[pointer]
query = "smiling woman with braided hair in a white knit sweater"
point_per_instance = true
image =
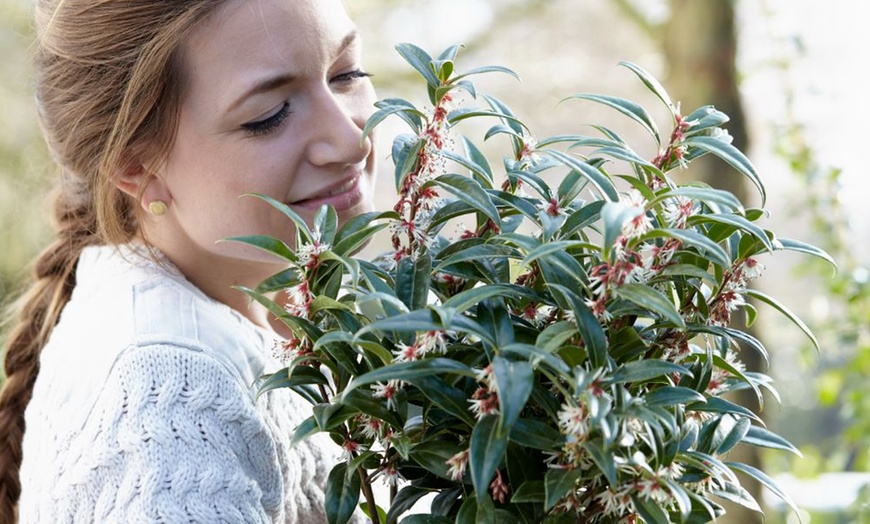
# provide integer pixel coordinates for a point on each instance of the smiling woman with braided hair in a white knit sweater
(161, 114)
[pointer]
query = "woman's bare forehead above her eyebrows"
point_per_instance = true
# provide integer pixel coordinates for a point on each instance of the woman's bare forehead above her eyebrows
(247, 39)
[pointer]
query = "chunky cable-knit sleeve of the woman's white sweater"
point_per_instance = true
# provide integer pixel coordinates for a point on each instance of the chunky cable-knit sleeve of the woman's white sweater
(173, 437)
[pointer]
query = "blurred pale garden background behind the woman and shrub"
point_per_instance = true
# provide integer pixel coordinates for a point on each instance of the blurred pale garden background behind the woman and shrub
(788, 72)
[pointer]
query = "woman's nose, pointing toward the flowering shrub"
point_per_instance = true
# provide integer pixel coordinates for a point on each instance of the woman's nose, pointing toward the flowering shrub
(337, 123)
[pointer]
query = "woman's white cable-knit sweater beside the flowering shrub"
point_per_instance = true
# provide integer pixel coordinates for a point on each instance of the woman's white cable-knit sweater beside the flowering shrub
(144, 410)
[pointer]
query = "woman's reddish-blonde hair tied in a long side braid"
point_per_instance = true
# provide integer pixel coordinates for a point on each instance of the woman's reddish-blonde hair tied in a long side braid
(108, 86)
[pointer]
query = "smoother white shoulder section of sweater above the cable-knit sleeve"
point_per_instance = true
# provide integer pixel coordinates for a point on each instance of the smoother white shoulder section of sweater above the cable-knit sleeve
(128, 310)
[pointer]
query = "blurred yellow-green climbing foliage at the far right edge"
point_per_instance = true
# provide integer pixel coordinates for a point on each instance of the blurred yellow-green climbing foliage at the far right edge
(844, 329)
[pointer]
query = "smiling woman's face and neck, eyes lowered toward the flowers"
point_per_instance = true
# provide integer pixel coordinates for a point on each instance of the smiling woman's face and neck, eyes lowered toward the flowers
(274, 103)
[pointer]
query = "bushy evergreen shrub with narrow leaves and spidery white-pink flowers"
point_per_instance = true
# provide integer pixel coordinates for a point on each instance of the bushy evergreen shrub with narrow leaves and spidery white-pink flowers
(566, 356)
